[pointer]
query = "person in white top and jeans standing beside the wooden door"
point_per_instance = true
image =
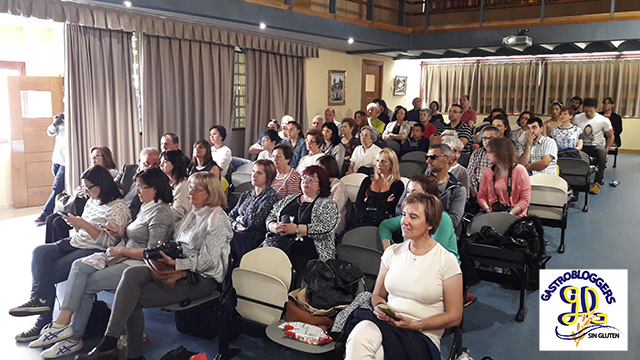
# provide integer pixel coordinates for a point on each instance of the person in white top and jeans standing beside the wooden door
(57, 130)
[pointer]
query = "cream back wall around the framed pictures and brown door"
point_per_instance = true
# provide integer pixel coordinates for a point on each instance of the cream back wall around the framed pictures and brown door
(317, 81)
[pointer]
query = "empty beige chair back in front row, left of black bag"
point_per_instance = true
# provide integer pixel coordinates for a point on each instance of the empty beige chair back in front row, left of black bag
(262, 284)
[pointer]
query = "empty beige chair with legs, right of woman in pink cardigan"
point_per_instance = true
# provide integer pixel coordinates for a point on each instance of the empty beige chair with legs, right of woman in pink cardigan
(549, 202)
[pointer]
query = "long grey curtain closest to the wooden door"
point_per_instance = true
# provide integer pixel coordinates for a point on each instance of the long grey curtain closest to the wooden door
(100, 98)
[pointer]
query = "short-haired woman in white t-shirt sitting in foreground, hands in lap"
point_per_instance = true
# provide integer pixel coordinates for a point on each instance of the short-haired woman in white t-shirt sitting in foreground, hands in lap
(420, 281)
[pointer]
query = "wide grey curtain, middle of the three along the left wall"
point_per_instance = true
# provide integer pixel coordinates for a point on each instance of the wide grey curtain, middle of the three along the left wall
(187, 86)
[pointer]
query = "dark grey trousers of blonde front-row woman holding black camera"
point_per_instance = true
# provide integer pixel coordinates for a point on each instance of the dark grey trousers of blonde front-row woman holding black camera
(136, 291)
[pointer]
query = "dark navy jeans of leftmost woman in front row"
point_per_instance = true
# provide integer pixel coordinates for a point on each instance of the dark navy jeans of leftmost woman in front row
(50, 265)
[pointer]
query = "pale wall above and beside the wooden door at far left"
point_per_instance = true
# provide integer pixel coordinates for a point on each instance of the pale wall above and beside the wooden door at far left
(42, 51)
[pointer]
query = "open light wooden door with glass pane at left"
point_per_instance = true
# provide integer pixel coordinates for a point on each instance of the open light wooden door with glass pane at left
(33, 101)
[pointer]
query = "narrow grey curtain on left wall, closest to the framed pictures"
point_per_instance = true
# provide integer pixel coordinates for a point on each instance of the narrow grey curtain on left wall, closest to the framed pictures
(275, 87)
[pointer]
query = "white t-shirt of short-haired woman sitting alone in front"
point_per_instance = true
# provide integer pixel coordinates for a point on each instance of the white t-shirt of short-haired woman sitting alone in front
(414, 282)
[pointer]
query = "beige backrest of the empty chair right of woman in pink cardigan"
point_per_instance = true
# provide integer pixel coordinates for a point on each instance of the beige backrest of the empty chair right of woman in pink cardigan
(547, 202)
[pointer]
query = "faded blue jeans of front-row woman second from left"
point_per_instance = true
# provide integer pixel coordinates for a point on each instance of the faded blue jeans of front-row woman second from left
(83, 284)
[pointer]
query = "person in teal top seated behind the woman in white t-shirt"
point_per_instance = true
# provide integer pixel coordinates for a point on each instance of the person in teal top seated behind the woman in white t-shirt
(445, 235)
